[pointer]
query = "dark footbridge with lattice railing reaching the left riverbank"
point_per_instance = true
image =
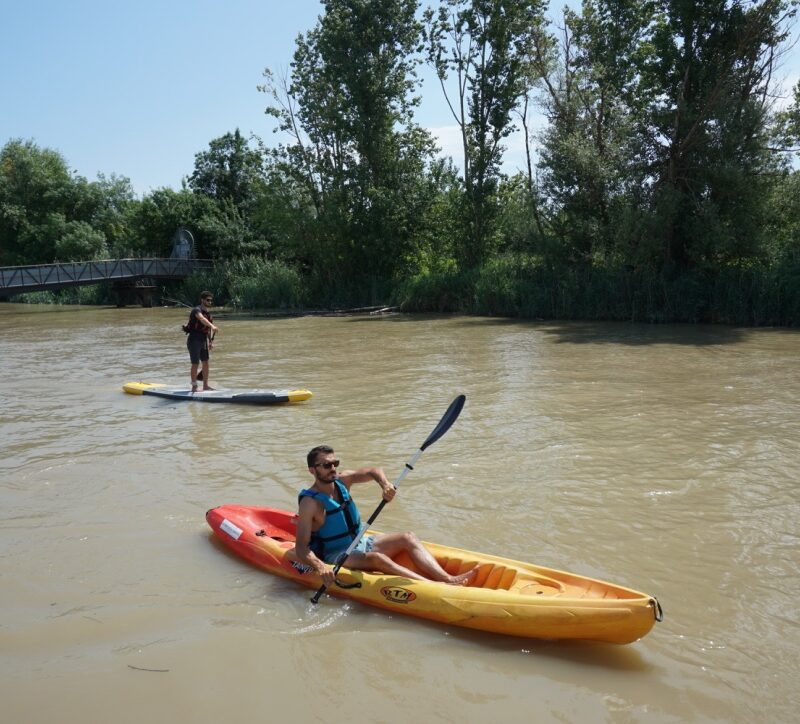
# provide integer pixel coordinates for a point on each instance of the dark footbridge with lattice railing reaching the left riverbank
(21, 279)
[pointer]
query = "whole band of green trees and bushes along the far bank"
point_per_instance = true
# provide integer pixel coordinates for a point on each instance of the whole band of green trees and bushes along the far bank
(660, 187)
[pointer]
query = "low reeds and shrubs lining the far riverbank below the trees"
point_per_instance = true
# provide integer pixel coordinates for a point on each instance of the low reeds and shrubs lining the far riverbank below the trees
(751, 296)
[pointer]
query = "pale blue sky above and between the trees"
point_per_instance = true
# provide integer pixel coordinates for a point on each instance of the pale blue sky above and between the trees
(137, 88)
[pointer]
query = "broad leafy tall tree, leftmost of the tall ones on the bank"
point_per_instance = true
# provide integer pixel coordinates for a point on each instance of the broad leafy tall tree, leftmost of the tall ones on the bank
(355, 153)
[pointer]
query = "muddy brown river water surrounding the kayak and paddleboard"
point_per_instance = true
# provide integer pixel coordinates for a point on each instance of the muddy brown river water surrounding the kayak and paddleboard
(663, 458)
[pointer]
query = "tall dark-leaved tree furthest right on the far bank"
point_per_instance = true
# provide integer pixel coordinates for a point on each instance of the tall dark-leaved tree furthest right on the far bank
(709, 77)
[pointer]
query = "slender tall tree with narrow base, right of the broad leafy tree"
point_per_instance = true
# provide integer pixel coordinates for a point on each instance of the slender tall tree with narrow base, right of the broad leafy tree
(483, 47)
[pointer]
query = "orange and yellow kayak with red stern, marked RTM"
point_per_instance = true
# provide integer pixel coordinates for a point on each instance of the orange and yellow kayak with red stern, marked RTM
(506, 597)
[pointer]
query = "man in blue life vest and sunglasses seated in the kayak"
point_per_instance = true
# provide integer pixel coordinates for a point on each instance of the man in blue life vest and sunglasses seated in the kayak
(329, 521)
